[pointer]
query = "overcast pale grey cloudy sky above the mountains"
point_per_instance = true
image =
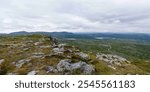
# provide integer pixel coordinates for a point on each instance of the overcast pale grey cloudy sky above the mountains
(75, 16)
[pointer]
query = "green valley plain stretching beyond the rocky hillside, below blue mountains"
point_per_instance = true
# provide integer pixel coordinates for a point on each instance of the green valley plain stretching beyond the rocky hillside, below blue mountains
(136, 51)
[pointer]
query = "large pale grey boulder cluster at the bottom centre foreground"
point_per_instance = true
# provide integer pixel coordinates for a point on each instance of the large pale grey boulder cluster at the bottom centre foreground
(67, 67)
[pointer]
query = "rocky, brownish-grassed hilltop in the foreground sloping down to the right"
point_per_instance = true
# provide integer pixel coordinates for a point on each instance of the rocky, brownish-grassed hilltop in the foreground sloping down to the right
(42, 55)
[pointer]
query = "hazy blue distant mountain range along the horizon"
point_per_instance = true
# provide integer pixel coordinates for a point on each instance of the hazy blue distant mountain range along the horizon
(128, 36)
